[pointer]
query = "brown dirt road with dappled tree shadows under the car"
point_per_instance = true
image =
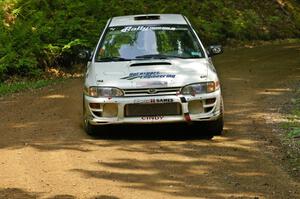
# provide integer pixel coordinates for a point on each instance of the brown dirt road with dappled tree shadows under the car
(44, 152)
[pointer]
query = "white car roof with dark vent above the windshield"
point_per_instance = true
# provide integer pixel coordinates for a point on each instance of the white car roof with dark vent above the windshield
(149, 19)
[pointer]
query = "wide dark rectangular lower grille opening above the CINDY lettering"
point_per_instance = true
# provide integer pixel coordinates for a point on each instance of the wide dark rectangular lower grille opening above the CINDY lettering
(139, 110)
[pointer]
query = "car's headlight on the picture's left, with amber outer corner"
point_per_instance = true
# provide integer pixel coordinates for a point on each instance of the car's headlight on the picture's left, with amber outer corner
(95, 91)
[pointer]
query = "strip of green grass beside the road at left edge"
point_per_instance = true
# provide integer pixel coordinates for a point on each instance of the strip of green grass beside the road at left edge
(22, 85)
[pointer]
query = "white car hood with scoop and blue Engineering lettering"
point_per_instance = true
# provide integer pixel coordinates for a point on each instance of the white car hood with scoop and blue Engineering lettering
(151, 73)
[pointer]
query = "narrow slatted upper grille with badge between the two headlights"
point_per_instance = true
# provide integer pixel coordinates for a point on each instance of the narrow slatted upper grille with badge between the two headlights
(151, 91)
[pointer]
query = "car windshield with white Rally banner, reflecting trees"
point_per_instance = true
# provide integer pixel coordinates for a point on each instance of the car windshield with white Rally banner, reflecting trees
(124, 43)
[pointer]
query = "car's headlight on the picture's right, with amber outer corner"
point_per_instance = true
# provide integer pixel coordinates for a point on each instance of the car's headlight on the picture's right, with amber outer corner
(200, 88)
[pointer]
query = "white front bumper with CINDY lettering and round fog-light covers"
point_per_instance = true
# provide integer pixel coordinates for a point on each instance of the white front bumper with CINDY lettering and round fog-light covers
(204, 107)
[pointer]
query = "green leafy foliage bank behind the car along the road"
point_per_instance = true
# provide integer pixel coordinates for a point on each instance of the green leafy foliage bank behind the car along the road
(36, 34)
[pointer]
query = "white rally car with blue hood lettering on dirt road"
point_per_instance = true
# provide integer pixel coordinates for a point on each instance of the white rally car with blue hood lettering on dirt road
(151, 69)
